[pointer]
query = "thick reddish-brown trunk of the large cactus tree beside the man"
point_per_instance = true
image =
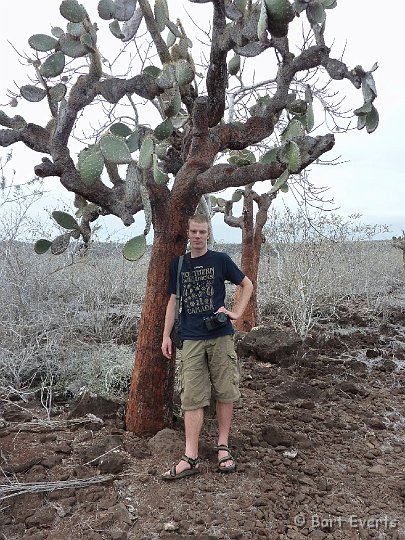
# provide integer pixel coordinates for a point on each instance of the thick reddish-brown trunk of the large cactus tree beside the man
(150, 400)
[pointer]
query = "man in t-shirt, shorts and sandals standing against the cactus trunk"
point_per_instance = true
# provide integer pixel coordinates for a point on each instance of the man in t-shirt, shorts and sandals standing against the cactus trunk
(209, 362)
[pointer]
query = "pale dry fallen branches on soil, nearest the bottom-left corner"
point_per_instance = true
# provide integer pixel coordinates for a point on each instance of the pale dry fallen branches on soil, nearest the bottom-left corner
(12, 490)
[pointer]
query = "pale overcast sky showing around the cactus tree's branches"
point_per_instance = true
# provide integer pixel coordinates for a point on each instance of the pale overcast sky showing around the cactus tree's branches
(370, 182)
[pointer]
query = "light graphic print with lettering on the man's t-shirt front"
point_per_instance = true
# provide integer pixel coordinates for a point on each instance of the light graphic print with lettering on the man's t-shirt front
(198, 290)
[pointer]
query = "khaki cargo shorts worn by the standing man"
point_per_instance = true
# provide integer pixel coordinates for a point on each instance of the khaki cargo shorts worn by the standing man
(209, 365)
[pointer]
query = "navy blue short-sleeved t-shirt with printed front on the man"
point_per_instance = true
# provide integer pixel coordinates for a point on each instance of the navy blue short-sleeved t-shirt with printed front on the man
(202, 285)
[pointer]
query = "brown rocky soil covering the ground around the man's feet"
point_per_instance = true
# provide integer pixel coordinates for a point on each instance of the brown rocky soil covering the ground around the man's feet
(319, 441)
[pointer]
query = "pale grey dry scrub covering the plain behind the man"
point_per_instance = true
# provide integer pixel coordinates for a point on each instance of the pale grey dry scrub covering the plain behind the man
(70, 322)
